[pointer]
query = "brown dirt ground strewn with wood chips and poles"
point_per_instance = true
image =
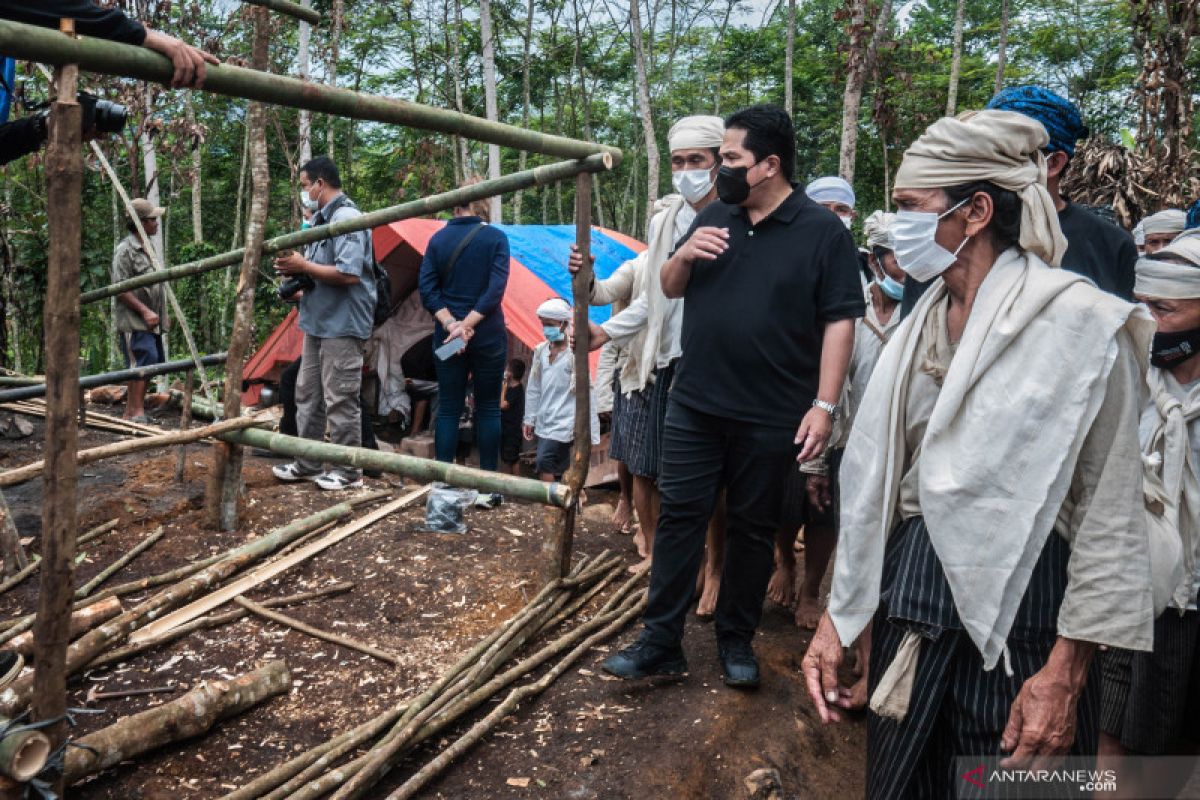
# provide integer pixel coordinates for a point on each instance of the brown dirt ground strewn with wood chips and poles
(427, 598)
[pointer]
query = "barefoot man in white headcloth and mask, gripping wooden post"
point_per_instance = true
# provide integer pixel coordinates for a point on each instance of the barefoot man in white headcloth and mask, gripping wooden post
(649, 329)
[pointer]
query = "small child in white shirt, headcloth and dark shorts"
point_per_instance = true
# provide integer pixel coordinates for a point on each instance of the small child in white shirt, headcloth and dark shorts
(550, 395)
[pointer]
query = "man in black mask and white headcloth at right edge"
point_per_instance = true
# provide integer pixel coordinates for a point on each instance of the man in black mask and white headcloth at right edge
(1150, 699)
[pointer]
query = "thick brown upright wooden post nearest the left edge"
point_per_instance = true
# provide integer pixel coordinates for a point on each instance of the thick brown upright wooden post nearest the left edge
(64, 181)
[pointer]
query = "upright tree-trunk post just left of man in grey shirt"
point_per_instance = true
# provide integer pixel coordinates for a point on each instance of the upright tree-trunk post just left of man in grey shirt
(225, 483)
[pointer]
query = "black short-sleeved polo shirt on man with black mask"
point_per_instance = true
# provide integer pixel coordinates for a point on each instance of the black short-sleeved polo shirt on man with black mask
(754, 320)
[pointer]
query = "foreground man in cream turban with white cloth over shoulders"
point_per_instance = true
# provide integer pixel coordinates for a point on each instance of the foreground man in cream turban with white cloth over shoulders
(993, 531)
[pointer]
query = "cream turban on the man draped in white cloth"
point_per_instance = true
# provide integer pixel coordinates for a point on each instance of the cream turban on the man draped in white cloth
(1004, 148)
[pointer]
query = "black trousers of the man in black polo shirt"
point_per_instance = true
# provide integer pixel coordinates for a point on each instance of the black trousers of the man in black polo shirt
(703, 455)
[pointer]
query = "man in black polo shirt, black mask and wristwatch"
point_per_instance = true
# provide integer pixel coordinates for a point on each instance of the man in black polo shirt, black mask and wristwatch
(771, 291)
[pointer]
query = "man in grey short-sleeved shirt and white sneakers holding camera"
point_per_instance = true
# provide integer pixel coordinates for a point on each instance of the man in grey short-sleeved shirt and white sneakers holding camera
(337, 315)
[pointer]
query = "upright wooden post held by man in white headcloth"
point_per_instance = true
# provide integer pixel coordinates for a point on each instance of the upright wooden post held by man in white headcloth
(559, 563)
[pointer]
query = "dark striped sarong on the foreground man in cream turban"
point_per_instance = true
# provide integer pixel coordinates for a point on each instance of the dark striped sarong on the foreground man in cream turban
(958, 708)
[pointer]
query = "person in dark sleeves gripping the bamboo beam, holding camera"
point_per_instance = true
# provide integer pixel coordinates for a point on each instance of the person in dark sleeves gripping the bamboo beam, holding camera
(22, 137)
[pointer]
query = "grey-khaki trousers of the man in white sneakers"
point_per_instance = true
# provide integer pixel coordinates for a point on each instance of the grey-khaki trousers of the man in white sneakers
(328, 392)
